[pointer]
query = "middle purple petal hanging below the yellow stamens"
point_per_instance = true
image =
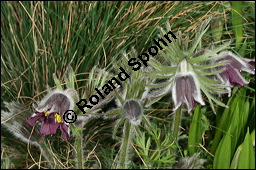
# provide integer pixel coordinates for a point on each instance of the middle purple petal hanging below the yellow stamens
(48, 127)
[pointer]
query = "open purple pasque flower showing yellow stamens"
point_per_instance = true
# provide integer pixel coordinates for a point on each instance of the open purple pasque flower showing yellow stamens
(50, 111)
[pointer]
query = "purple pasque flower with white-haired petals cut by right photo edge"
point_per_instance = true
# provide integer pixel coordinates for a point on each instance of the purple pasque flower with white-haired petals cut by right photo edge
(231, 72)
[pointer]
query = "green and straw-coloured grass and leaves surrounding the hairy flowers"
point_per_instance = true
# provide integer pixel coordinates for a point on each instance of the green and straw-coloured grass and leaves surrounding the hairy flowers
(42, 38)
